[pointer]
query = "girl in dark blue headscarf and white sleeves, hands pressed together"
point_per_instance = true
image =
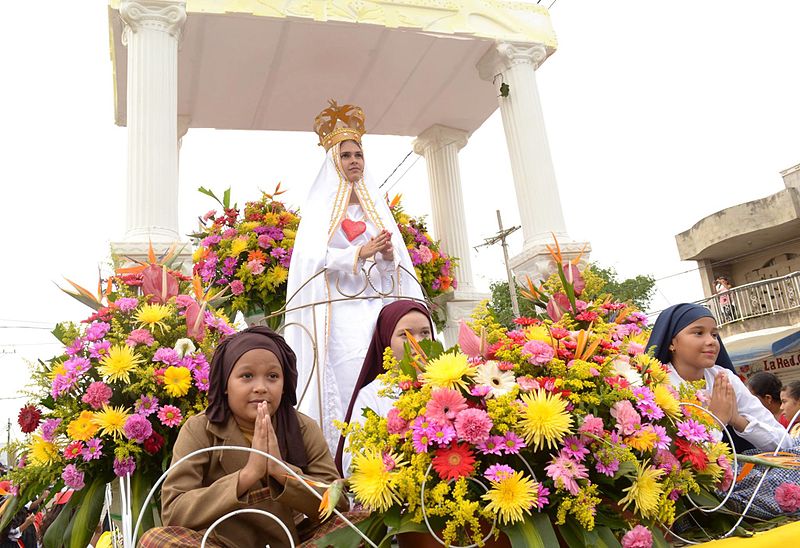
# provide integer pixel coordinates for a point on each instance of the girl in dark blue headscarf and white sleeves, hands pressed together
(685, 338)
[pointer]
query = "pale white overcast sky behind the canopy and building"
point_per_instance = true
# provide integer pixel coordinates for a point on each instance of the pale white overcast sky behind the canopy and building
(658, 114)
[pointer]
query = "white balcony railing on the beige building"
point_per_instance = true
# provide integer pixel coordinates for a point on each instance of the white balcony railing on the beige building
(755, 299)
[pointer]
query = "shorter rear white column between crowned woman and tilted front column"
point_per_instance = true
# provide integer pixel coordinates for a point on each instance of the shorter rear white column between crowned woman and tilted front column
(440, 145)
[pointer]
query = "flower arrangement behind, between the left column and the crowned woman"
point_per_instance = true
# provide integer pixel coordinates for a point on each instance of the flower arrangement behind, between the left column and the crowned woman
(247, 253)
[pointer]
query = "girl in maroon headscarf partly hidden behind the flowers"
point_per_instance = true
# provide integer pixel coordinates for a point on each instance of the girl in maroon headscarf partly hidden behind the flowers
(394, 321)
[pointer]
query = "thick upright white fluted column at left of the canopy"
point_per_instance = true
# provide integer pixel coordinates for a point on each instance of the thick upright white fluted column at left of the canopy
(152, 31)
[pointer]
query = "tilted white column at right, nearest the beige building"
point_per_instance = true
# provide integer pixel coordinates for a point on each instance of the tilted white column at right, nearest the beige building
(531, 164)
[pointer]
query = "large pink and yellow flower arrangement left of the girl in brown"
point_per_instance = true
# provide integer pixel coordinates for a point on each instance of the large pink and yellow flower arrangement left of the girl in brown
(111, 405)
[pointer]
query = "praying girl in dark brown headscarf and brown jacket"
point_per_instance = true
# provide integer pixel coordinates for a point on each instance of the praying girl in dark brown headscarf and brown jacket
(251, 404)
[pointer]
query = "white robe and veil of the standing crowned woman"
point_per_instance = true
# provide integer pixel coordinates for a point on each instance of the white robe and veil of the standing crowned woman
(333, 297)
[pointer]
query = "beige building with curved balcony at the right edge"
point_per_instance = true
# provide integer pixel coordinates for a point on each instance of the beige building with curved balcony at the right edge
(756, 246)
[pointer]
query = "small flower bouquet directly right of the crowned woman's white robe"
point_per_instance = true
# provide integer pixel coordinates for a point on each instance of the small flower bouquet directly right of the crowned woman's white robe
(435, 269)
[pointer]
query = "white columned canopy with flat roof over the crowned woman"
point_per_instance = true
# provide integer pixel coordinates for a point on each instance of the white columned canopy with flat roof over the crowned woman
(432, 69)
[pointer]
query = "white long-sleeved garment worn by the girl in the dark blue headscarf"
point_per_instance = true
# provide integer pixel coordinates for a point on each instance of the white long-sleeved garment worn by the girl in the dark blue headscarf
(762, 430)
